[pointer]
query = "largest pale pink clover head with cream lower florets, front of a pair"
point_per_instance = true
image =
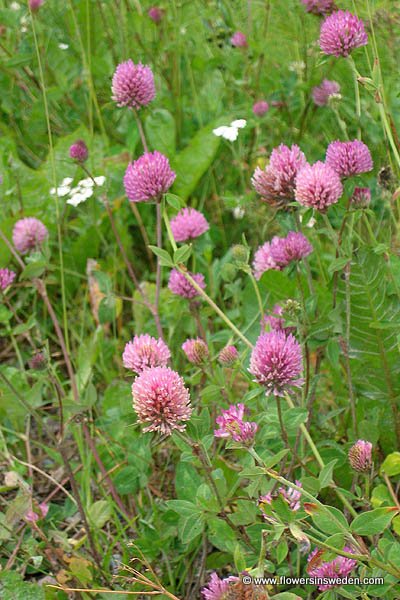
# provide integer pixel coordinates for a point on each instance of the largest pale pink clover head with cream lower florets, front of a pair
(161, 400)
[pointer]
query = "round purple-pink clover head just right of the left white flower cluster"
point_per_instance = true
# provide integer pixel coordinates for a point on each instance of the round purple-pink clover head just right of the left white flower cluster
(148, 177)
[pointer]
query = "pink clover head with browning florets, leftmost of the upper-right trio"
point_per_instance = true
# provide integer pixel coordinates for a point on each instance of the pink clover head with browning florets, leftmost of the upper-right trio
(276, 182)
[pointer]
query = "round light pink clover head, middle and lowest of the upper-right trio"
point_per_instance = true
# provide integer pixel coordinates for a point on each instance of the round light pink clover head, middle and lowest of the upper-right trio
(318, 186)
